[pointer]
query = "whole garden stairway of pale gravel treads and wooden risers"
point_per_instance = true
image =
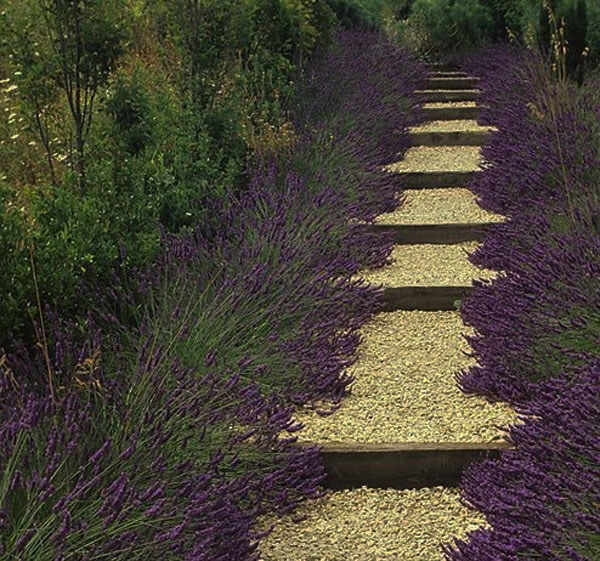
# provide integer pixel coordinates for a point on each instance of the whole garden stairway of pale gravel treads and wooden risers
(395, 450)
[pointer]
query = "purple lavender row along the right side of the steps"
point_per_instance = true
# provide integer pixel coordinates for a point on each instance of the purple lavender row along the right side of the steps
(537, 323)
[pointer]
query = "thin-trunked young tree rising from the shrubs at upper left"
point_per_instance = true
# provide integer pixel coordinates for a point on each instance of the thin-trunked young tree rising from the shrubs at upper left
(70, 44)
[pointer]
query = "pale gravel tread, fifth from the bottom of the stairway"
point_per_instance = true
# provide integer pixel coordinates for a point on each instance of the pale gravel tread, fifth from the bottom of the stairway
(439, 158)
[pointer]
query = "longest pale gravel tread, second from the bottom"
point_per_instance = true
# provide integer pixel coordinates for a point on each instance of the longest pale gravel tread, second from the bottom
(404, 388)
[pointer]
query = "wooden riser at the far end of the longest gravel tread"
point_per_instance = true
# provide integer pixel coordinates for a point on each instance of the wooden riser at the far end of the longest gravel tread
(424, 298)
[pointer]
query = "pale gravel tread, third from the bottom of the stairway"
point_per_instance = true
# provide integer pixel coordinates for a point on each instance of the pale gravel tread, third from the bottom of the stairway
(428, 265)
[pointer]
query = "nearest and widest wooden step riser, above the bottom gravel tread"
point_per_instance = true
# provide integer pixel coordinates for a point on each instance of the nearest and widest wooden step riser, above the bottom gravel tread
(401, 465)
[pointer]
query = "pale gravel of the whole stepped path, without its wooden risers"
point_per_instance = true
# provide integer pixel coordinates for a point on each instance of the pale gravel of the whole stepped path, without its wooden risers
(404, 390)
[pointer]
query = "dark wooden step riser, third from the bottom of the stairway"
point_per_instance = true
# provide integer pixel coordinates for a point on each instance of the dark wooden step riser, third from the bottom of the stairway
(411, 234)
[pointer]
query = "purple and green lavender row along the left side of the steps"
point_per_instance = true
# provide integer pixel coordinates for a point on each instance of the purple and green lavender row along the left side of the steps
(162, 425)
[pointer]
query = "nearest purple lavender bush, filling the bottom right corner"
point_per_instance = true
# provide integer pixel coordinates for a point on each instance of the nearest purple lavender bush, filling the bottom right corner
(542, 499)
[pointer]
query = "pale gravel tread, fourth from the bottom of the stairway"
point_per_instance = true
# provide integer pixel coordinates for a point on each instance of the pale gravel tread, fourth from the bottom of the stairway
(438, 206)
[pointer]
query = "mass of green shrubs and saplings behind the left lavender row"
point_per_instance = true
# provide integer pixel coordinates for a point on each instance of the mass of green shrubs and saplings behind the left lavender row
(153, 116)
